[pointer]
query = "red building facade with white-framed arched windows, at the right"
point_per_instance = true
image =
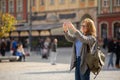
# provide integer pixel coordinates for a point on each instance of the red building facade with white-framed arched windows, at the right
(108, 19)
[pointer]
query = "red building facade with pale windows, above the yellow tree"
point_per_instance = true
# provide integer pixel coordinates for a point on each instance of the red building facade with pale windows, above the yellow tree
(17, 8)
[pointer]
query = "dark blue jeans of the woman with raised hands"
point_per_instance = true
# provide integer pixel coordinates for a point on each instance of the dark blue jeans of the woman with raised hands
(78, 75)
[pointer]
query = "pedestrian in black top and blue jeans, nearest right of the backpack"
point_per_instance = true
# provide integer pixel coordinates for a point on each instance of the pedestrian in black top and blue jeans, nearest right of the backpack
(111, 51)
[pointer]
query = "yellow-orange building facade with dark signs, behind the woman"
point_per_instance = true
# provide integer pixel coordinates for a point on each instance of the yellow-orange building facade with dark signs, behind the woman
(58, 11)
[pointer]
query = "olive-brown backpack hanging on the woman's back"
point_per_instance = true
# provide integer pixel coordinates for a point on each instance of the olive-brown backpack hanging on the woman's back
(95, 59)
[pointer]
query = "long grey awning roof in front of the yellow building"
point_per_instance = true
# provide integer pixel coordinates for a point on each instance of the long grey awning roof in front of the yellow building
(39, 27)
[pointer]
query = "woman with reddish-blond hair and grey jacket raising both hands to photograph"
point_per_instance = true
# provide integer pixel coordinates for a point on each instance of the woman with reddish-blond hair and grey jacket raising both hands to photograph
(81, 39)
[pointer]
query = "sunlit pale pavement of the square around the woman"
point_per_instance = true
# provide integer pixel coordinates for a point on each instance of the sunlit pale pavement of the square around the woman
(37, 69)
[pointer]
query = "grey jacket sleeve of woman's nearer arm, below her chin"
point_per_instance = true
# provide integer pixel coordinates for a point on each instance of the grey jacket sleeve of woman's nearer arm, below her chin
(85, 39)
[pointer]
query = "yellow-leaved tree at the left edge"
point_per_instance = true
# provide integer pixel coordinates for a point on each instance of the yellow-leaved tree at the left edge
(7, 23)
